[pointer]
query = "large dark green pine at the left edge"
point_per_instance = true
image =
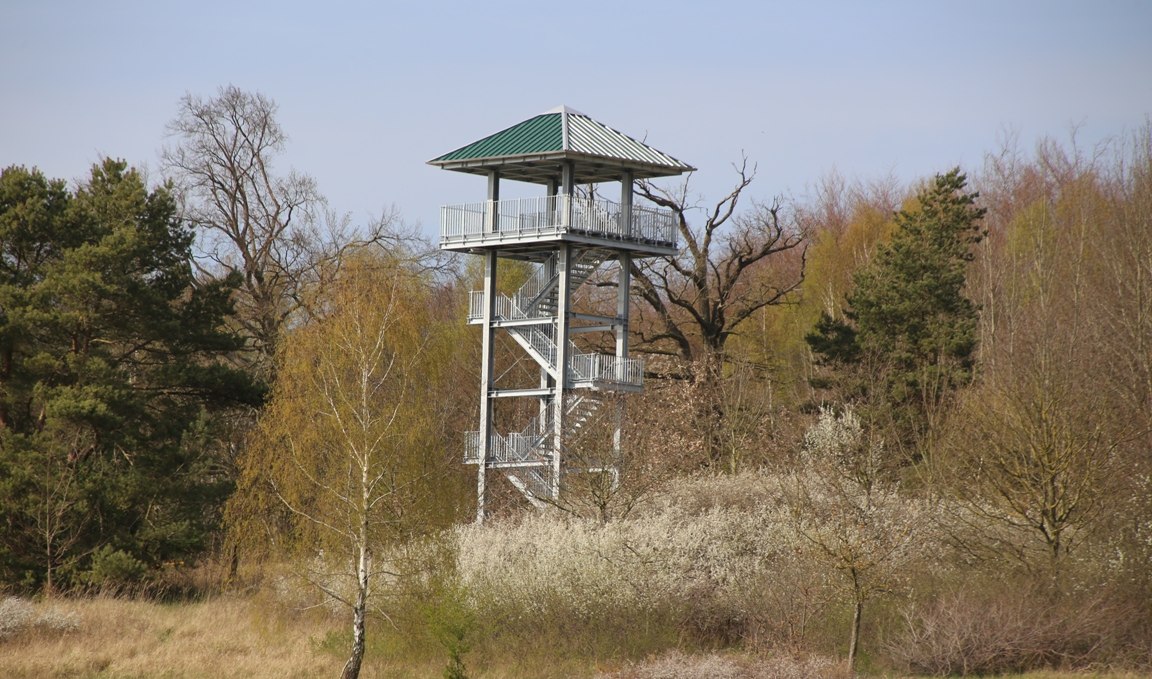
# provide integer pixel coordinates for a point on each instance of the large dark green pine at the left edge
(109, 363)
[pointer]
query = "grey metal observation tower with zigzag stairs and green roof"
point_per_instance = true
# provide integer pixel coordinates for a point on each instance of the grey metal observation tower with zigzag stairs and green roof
(564, 238)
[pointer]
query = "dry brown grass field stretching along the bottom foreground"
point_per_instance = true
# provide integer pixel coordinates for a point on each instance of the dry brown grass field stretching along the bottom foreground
(248, 637)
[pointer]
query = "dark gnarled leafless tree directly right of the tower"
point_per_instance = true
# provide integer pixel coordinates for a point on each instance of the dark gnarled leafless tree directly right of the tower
(730, 268)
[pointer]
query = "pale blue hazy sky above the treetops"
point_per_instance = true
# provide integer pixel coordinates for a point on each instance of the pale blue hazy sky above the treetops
(368, 93)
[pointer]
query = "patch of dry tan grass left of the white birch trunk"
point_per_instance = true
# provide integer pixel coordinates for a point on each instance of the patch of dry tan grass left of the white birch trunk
(128, 639)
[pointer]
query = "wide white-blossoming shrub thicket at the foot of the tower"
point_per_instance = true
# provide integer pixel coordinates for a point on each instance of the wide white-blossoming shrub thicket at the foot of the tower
(719, 559)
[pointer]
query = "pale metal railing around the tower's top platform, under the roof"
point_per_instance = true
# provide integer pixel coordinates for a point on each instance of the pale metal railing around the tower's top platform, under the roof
(552, 216)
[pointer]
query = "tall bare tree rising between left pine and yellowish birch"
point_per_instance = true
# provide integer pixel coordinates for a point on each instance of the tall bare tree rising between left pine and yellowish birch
(272, 230)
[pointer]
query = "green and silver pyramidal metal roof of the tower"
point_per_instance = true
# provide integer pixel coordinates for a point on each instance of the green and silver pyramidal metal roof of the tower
(534, 150)
